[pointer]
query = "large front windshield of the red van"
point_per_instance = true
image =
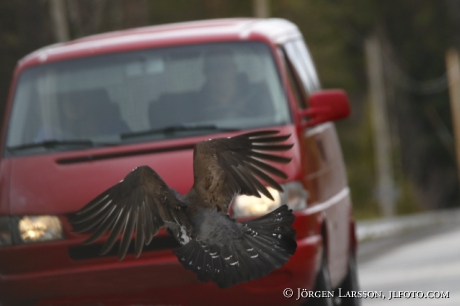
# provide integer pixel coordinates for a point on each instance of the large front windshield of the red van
(147, 95)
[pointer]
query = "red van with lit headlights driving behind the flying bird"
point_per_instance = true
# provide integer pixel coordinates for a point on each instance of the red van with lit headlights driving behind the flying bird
(82, 114)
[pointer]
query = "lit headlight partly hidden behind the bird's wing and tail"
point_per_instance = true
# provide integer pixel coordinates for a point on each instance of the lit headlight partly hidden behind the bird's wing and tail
(294, 195)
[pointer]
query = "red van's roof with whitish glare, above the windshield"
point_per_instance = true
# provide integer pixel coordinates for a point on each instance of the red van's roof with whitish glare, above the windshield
(274, 30)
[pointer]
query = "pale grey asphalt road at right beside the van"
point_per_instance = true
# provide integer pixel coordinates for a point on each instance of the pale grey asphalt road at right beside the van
(421, 263)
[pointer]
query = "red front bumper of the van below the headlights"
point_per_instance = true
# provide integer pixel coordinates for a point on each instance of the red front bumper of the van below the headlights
(46, 274)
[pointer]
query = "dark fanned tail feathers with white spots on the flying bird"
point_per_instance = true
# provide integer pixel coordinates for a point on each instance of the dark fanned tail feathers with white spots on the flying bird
(265, 245)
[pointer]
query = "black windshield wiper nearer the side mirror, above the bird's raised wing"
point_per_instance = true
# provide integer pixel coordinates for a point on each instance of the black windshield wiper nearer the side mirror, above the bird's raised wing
(178, 128)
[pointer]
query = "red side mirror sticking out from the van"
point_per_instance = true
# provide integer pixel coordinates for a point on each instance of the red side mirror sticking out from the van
(326, 105)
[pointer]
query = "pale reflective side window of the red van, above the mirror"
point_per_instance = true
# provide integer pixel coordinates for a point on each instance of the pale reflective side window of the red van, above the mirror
(302, 63)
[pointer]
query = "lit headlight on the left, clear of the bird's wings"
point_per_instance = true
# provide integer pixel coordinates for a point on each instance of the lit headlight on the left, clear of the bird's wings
(39, 228)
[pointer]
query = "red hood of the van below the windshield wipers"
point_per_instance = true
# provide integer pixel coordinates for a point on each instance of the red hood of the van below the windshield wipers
(62, 183)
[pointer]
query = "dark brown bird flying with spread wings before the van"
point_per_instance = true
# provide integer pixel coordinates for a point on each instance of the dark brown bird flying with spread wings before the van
(213, 245)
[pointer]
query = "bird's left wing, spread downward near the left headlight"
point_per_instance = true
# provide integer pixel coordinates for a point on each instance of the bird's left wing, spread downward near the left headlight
(140, 203)
